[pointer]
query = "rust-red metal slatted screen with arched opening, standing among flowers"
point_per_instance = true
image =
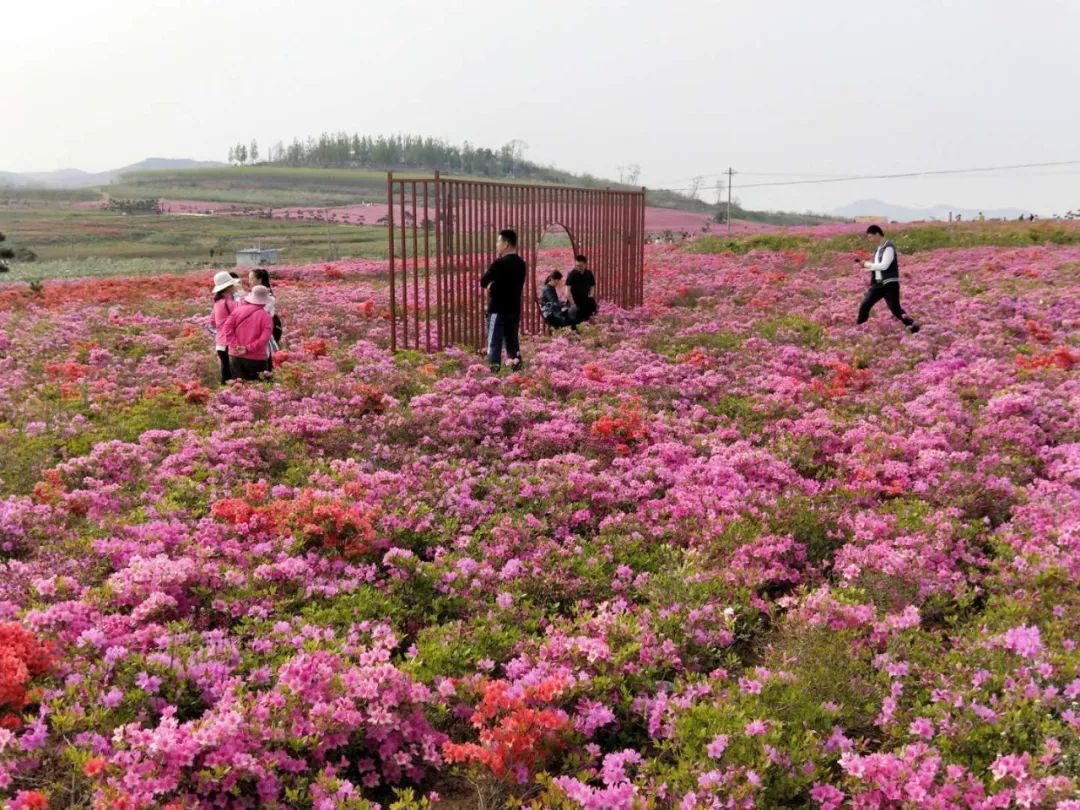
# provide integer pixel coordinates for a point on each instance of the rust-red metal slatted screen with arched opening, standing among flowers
(442, 236)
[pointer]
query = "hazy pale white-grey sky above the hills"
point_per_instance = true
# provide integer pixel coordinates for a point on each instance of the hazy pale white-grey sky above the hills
(680, 87)
